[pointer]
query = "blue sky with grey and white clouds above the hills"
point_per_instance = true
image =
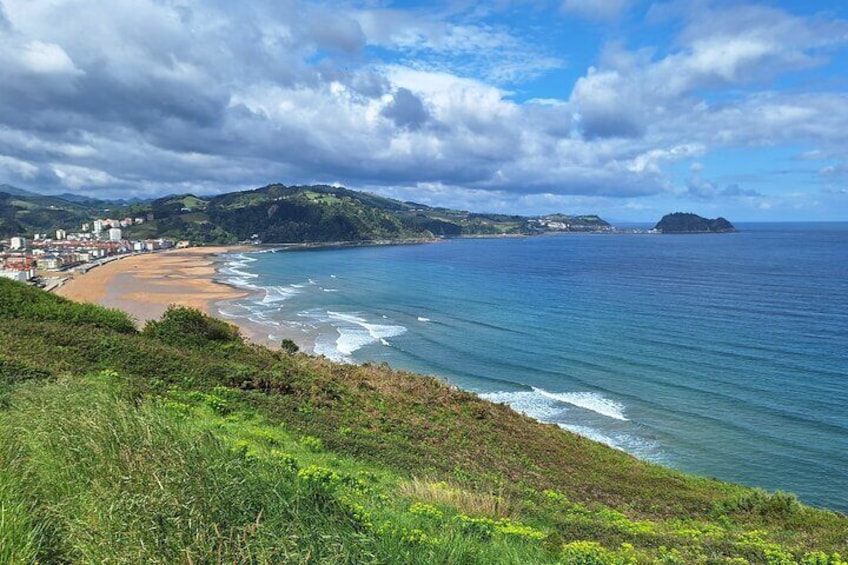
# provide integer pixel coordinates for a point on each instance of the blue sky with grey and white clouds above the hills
(623, 108)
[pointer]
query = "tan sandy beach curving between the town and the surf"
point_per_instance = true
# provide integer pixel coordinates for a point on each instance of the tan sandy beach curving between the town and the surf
(145, 285)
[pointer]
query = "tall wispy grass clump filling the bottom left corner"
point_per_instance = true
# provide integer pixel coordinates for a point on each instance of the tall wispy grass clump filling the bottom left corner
(89, 477)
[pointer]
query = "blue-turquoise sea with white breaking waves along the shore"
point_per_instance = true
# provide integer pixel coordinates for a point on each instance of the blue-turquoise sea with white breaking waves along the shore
(722, 355)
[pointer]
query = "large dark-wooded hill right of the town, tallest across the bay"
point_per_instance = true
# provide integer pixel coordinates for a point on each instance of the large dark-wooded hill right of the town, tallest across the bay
(319, 213)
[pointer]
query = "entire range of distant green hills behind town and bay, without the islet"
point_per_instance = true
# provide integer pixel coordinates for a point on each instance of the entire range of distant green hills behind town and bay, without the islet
(277, 213)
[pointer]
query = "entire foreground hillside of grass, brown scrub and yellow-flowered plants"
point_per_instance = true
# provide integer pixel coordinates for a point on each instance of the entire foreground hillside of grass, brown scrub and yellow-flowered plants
(180, 443)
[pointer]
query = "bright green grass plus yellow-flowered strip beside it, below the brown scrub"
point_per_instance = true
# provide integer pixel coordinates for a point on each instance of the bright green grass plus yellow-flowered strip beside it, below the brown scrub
(91, 475)
